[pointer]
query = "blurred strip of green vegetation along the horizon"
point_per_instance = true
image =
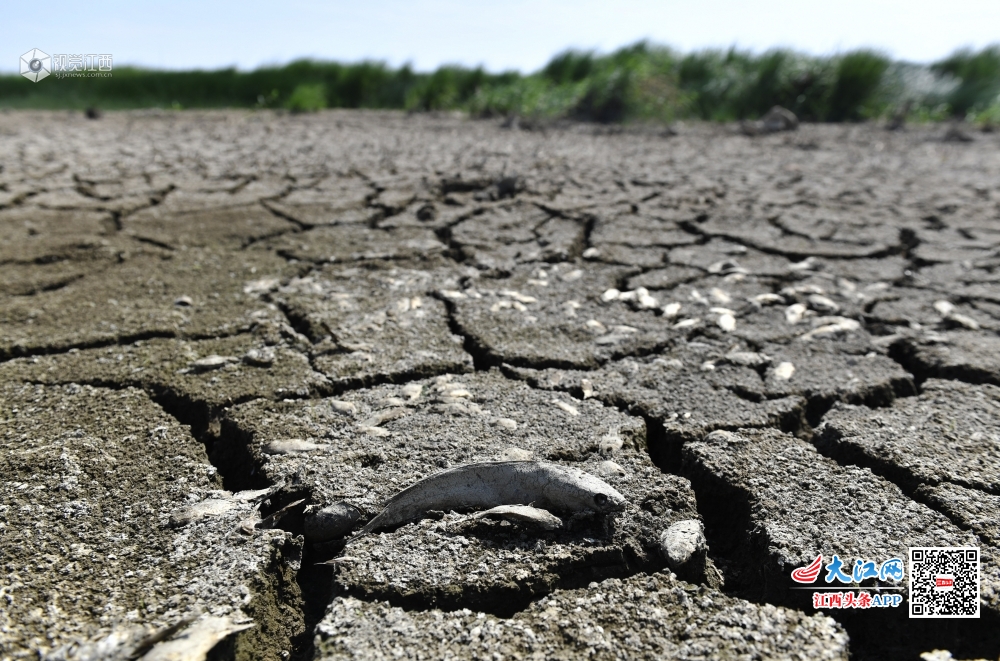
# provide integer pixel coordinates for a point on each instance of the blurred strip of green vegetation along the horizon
(639, 83)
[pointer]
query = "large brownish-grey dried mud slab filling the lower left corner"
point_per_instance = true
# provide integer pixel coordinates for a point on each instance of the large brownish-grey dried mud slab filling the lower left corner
(90, 489)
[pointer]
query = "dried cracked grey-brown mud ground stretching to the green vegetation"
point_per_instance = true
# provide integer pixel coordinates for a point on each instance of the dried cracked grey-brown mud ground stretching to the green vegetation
(228, 338)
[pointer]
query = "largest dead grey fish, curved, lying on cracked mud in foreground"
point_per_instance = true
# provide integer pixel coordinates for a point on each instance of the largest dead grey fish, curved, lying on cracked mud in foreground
(486, 485)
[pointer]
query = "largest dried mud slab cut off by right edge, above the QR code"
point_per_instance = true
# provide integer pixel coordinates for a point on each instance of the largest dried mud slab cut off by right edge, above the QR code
(946, 434)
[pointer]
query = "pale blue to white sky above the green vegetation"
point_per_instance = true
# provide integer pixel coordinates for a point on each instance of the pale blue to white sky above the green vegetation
(501, 34)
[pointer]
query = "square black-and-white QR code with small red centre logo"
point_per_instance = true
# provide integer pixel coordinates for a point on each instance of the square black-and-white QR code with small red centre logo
(944, 582)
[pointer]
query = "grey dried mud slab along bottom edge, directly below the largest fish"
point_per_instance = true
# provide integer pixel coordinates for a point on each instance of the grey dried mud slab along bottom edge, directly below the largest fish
(654, 616)
